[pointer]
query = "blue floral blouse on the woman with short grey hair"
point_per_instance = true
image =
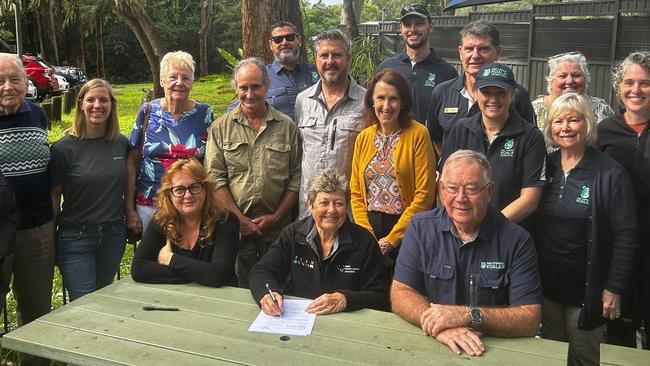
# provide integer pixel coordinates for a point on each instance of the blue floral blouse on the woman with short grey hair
(167, 140)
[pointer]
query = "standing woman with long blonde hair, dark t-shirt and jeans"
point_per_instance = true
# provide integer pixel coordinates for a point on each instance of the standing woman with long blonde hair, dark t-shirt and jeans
(88, 168)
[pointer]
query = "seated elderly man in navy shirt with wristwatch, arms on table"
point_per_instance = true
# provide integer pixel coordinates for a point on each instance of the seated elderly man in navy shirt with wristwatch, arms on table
(463, 269)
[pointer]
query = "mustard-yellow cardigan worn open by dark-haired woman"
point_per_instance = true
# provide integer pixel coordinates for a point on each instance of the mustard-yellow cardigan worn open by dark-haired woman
(415, 169)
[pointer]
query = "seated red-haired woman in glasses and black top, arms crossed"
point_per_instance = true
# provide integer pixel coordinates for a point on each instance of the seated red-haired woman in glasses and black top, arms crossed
(190, 238)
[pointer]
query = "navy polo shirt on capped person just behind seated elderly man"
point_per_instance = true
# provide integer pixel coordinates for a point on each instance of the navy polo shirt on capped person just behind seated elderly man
(517, 155)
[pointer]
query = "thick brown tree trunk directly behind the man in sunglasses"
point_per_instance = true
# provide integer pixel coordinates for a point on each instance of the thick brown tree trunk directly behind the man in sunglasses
(258, 16)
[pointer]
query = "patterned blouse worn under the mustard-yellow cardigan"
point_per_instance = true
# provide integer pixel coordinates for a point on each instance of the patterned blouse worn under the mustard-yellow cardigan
(381, 180)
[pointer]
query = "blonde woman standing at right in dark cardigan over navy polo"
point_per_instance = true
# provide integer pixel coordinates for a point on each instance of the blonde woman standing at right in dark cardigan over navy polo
(586, 232)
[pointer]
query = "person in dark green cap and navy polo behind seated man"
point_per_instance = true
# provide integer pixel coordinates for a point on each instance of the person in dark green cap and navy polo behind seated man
(514, 147)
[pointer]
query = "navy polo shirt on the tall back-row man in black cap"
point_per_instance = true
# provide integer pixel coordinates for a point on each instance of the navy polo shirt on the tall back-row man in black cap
(422, 78)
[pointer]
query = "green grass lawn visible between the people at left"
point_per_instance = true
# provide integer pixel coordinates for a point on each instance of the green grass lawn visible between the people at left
(212, 90)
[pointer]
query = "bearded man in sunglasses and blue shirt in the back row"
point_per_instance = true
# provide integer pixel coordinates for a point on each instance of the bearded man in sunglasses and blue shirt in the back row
(288, 73)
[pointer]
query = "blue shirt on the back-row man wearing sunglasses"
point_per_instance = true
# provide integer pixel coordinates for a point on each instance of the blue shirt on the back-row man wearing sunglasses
(285, 85)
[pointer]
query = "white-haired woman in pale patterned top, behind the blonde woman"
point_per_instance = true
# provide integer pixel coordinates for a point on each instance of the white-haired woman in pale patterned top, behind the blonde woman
(568, 73)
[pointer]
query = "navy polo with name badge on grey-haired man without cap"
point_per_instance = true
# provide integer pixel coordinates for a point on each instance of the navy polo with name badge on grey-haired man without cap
(447, 106)
